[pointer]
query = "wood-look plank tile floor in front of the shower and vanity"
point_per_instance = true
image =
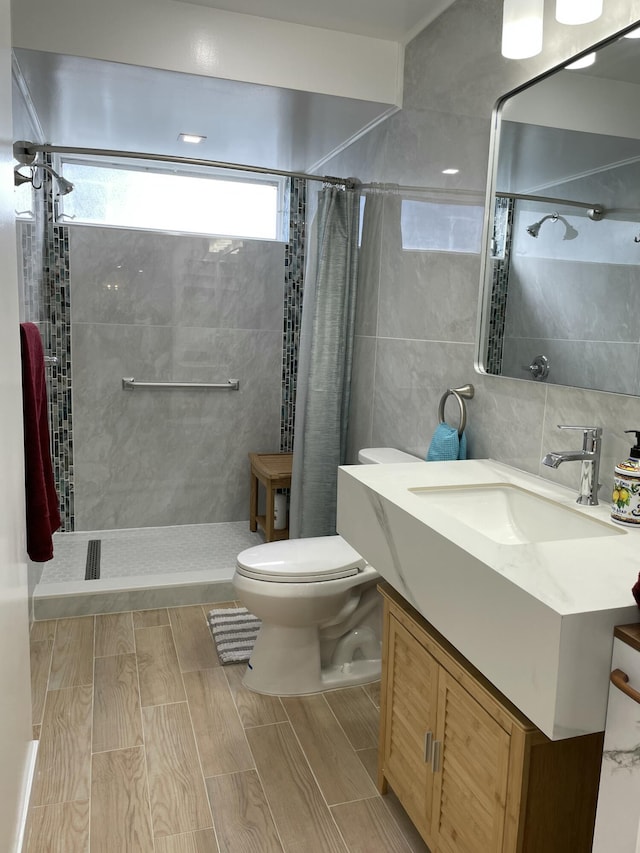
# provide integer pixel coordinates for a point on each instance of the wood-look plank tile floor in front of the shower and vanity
(149, 745)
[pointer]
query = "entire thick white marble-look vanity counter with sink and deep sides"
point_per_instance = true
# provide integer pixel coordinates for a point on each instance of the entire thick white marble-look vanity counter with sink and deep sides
(535, 616)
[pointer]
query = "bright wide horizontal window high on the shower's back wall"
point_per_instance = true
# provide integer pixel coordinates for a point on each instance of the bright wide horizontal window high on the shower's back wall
(161, 200)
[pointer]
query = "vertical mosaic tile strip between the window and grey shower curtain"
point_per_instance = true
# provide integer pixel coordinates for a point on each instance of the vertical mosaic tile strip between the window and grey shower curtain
(294, 261)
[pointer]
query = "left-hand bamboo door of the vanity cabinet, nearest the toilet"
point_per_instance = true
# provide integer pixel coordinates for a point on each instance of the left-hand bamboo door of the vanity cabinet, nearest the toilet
(410, 718)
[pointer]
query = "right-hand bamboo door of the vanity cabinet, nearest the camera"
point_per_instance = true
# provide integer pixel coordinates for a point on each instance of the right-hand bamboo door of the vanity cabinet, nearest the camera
(471, 764)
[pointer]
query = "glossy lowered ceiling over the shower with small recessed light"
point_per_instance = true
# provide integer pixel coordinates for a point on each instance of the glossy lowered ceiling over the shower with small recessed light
(96, 104)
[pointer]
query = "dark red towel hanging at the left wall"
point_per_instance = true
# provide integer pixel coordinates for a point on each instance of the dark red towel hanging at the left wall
(43, 514)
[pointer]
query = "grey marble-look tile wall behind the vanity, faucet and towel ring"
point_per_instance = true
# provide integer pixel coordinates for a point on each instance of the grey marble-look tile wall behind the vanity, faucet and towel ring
(417, 316)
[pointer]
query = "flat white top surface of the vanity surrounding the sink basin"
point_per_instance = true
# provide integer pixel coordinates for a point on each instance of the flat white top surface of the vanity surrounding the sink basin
(571, 576)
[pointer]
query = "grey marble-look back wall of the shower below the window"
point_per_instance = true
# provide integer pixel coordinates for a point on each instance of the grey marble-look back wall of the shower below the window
(164, 307)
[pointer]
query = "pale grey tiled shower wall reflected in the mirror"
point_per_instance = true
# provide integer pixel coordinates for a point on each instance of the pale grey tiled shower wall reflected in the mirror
(574, 292)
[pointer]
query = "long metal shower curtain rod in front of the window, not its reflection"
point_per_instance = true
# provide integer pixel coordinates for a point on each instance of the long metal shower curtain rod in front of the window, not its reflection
(25, 153)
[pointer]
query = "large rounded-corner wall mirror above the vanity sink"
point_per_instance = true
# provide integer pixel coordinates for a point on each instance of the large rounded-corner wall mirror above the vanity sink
(560, 296)
